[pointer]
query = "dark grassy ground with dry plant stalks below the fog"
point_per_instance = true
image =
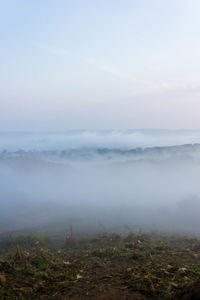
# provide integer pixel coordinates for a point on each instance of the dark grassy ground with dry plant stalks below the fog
(109, 266)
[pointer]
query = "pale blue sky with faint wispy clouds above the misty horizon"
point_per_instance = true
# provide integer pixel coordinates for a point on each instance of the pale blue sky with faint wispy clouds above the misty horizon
(73, 64)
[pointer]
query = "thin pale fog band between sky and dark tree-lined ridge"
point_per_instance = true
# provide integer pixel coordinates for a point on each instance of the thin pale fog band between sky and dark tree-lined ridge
(111, 139)
